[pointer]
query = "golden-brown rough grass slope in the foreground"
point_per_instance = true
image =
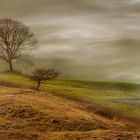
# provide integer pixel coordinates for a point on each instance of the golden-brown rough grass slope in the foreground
(27, 114)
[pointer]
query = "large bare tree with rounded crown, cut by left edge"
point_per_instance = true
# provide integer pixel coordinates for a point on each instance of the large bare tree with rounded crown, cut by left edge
(14, 38)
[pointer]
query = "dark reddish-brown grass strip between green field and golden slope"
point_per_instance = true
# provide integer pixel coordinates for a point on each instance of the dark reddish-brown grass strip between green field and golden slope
(131, 123)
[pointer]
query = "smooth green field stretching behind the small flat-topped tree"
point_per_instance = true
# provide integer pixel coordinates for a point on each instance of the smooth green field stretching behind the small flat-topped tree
(123, 97)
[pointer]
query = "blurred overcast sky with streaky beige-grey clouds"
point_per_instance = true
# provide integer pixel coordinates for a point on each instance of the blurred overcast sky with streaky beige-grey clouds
(88, 39)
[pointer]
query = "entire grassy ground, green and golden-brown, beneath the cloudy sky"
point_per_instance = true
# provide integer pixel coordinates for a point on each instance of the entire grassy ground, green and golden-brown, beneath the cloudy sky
(30, 114)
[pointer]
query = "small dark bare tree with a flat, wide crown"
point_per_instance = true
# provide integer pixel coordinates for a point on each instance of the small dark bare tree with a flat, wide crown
(41, 75)
